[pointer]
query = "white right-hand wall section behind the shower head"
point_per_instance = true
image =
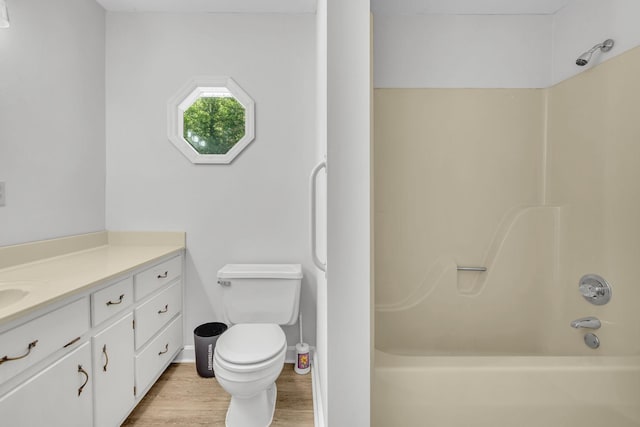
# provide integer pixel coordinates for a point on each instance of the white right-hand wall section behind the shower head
(585, 23)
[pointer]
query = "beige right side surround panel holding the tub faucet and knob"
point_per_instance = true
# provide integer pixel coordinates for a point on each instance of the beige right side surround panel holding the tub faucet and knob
(594, 173)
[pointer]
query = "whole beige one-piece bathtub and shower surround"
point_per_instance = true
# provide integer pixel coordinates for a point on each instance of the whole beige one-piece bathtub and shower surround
(541, 187)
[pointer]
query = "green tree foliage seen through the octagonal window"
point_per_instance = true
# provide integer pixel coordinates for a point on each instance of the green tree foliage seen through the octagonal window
(213, 125)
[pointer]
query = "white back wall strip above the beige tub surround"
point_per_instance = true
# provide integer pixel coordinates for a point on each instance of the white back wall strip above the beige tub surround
(468, 51)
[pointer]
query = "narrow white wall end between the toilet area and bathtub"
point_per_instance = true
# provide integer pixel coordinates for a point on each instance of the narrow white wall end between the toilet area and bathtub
(348, 218)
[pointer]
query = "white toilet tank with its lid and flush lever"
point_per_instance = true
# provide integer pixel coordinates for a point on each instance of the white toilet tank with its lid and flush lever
(261, 293)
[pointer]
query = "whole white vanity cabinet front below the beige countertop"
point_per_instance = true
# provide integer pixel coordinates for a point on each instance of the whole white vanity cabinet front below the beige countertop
(89, 361)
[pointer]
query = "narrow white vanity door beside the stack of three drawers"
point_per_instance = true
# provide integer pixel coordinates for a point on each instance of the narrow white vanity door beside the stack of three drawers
(113, 362)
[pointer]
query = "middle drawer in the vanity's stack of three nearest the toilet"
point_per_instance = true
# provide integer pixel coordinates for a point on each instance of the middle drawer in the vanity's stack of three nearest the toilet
(155, 313)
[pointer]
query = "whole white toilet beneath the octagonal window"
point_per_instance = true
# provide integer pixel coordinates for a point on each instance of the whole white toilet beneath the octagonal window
(249, 356)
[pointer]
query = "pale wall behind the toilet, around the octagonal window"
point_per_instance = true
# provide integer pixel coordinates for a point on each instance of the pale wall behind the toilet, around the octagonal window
(256, 208)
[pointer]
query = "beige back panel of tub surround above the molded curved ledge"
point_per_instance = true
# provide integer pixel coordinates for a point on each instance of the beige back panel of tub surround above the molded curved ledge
(449, 164)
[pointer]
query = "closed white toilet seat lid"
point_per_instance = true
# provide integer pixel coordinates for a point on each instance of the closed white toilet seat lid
(250, 345)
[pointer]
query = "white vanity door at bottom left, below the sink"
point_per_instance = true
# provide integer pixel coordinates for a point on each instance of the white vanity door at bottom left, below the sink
(60, 395)
